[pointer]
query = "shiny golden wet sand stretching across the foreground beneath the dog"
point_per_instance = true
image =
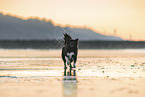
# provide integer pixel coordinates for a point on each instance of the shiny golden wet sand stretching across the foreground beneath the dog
(103, 73)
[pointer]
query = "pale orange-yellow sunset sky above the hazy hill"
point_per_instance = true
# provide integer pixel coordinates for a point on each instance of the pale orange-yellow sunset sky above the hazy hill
(126, 18)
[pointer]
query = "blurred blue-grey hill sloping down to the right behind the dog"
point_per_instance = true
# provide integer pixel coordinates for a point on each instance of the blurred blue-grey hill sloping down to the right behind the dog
(13, 28)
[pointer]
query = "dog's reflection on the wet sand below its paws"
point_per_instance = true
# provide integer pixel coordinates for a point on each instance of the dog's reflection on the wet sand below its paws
(69, 83)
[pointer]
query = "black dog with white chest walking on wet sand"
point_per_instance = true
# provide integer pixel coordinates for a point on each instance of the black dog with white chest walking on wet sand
(69, 51)
